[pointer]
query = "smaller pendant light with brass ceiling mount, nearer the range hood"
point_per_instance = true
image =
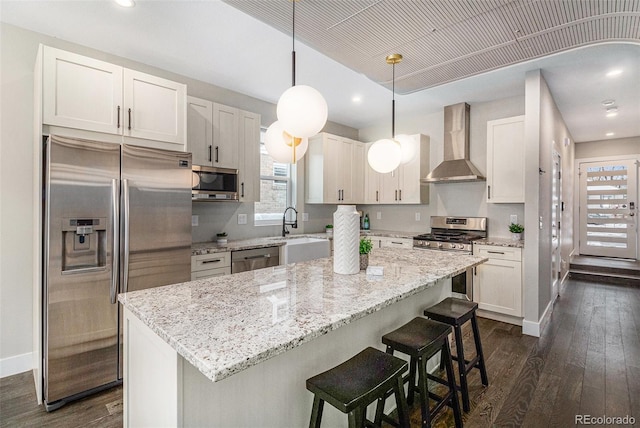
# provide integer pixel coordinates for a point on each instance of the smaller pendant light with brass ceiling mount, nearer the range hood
(387, 154)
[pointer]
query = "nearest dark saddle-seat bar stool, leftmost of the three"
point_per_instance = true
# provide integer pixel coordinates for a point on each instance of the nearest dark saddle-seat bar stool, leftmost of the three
(351, 386)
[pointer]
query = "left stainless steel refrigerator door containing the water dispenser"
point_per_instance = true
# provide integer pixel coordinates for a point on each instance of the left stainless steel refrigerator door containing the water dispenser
(80, 320)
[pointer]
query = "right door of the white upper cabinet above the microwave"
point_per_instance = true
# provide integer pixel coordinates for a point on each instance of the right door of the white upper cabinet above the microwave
(224, 153)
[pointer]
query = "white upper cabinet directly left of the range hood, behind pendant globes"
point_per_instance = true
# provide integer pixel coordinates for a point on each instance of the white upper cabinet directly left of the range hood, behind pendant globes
(401, 186)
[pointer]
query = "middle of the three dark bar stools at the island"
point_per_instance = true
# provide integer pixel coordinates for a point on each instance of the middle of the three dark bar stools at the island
(421, 339)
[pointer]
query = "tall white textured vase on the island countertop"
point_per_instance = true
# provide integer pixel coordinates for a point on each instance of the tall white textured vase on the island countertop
(346, 240)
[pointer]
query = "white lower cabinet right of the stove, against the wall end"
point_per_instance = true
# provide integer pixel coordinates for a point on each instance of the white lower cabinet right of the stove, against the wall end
(497, 283)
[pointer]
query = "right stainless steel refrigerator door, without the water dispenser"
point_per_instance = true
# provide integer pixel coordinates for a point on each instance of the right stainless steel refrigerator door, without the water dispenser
(156, 218)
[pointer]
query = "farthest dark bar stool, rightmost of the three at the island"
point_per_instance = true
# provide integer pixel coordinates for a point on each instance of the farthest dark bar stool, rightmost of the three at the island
(456, 312)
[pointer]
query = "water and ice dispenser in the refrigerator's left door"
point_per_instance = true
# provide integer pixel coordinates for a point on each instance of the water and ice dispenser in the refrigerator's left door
(84, 243)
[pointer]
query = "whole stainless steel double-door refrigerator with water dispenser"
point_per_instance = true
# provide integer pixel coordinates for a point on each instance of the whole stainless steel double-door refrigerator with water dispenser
(117, 219)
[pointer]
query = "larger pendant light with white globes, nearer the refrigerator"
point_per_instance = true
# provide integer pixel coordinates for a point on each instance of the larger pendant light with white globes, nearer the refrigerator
(302, 113)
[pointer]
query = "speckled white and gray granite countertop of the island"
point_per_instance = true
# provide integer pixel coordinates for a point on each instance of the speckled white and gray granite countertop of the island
(224, 325)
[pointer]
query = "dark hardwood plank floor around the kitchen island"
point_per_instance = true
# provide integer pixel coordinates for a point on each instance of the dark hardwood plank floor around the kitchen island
(587, 362)
